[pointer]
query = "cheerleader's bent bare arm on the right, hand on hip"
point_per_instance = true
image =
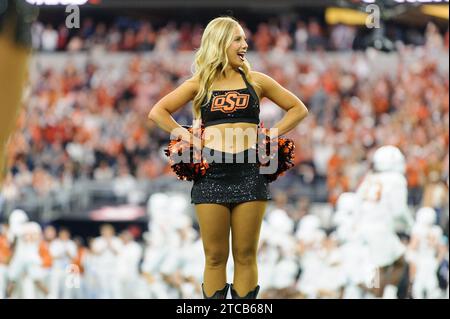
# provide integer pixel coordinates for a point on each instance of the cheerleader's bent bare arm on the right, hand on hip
(296, 111)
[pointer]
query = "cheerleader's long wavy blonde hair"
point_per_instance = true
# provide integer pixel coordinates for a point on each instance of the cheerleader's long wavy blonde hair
(211, 59)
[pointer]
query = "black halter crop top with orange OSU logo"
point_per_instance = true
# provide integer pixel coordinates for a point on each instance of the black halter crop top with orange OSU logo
(232, 106)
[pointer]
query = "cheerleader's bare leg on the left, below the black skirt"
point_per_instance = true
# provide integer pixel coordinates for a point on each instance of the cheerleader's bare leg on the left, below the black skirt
(214, 221)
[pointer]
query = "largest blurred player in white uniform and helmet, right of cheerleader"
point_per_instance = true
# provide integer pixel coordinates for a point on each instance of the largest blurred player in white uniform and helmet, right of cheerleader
(383, 204)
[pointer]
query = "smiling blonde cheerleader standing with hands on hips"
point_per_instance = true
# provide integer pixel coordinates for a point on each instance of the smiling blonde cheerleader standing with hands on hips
(231, 196)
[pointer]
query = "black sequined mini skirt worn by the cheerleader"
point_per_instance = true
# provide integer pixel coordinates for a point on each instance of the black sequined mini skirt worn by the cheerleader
(235, 178)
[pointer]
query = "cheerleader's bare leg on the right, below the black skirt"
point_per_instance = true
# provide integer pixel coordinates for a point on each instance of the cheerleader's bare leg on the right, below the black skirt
(246, 220)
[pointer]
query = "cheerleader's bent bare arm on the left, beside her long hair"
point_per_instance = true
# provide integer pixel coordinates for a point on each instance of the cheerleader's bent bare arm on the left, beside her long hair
(162, 110)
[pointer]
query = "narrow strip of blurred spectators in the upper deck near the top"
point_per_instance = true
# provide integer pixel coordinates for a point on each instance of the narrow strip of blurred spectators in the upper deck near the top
(285, 33)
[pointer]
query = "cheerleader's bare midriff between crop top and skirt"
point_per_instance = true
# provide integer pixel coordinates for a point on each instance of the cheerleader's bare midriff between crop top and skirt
(230, 137)
